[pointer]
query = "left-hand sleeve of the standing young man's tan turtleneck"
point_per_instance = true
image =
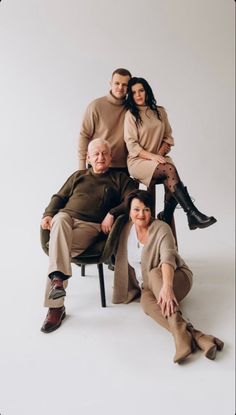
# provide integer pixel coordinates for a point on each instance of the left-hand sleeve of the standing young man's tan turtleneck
(86, 134)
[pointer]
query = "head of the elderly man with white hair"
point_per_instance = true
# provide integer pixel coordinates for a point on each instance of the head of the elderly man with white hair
(99, 156)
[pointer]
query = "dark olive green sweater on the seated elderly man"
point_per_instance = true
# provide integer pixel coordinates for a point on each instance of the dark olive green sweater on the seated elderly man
(89, 196)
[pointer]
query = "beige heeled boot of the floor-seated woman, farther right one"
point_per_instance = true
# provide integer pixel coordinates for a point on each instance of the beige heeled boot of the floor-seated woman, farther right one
(209, 344)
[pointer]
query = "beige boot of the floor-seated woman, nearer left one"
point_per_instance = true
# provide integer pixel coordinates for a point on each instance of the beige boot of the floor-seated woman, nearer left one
(183, 339)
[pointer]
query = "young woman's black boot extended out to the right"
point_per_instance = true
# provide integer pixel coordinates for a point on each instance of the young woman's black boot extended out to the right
(196, 219)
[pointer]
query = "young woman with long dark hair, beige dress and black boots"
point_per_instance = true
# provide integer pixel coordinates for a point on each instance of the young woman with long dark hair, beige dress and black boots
(148, 138)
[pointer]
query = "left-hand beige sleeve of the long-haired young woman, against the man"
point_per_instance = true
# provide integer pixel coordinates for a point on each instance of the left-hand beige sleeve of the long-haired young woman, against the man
(131, 135)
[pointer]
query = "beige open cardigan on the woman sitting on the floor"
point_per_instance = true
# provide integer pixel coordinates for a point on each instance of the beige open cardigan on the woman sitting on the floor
(159, 248)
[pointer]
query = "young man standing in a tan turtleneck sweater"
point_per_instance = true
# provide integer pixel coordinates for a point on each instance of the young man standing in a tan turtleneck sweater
(104, 118)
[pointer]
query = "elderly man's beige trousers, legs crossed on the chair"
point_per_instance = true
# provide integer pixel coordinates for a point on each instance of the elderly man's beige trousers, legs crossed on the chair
(69, 237)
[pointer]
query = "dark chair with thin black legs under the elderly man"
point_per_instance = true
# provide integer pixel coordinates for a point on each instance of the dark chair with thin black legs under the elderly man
(101, 251)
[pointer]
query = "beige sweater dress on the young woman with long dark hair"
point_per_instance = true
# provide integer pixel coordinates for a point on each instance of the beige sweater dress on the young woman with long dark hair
(149, 136)
